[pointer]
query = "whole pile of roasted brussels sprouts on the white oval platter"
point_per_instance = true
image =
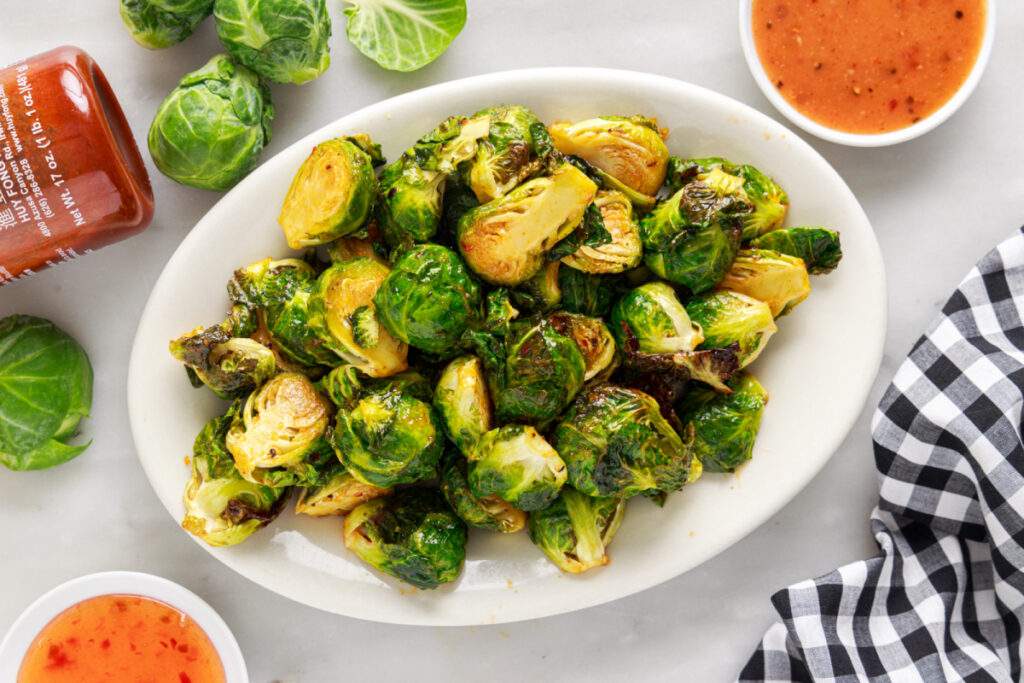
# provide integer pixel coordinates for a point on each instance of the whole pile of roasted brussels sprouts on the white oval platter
(510, 326)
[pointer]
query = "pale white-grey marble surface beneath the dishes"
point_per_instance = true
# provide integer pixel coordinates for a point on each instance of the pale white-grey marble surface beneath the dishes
(937, 204)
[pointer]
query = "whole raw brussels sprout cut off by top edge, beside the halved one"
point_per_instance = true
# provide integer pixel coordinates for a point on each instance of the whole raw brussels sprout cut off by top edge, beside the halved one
(286, 41)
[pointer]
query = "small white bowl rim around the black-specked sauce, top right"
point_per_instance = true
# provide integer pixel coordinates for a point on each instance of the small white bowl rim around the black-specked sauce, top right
(862, 140)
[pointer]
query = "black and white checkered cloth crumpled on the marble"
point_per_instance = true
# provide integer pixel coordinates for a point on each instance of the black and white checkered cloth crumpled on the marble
(946, 600)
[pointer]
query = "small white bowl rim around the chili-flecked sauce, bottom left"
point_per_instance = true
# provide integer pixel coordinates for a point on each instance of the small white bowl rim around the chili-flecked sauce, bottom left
(42, 612)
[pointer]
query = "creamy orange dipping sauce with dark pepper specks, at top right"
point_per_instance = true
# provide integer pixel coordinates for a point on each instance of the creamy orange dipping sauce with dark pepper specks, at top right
(869, 66)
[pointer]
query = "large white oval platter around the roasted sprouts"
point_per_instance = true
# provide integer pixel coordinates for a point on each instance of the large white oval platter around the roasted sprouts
(819, 368)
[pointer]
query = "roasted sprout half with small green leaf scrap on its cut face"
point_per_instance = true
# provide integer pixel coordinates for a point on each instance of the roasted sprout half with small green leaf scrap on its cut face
(349, 322)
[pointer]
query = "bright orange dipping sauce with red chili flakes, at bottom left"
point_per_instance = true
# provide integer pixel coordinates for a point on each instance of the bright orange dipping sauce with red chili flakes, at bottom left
(123, 639)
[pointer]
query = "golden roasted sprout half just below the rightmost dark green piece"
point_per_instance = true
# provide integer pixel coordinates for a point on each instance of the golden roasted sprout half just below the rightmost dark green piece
(779, 280)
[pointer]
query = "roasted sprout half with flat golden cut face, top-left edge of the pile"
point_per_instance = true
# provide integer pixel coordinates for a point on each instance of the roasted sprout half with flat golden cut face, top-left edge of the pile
(331, 194)
